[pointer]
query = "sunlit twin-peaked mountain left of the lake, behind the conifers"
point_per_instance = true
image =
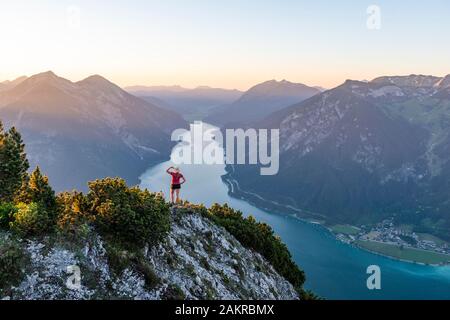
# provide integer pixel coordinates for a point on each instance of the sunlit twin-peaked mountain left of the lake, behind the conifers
(80, 131)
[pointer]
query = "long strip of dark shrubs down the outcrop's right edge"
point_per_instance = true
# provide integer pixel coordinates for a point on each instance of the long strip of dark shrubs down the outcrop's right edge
(261, 238)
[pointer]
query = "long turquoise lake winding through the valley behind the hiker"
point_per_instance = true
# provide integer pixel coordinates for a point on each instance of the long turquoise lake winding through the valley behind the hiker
(334, 270)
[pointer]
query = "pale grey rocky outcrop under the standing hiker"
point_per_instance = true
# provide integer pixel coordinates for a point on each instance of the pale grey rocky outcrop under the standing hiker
(198, 260)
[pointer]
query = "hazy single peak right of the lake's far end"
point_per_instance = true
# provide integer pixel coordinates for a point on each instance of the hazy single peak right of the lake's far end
(260, 101)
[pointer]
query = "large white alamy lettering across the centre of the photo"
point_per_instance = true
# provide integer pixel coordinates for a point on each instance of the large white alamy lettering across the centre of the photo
(206, 145)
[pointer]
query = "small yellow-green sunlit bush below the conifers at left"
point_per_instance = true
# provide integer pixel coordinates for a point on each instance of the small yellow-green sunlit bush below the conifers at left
(30, 220)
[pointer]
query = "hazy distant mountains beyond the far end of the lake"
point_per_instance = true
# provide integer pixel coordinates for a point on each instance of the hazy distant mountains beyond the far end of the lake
(223, 107)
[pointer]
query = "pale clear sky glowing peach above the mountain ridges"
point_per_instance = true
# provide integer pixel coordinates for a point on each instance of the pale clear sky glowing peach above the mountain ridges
(223, 43)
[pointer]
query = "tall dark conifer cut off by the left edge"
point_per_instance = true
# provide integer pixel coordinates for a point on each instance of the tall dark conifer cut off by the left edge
(13, 163)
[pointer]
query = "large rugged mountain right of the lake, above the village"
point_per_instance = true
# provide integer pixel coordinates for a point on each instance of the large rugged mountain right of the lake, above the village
(361, 152)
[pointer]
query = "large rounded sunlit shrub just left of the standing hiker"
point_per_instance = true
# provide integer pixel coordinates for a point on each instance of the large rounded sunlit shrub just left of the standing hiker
(127, 214)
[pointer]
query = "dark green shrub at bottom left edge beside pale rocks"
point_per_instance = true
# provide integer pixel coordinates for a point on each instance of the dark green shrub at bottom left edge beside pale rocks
(12, 262)
